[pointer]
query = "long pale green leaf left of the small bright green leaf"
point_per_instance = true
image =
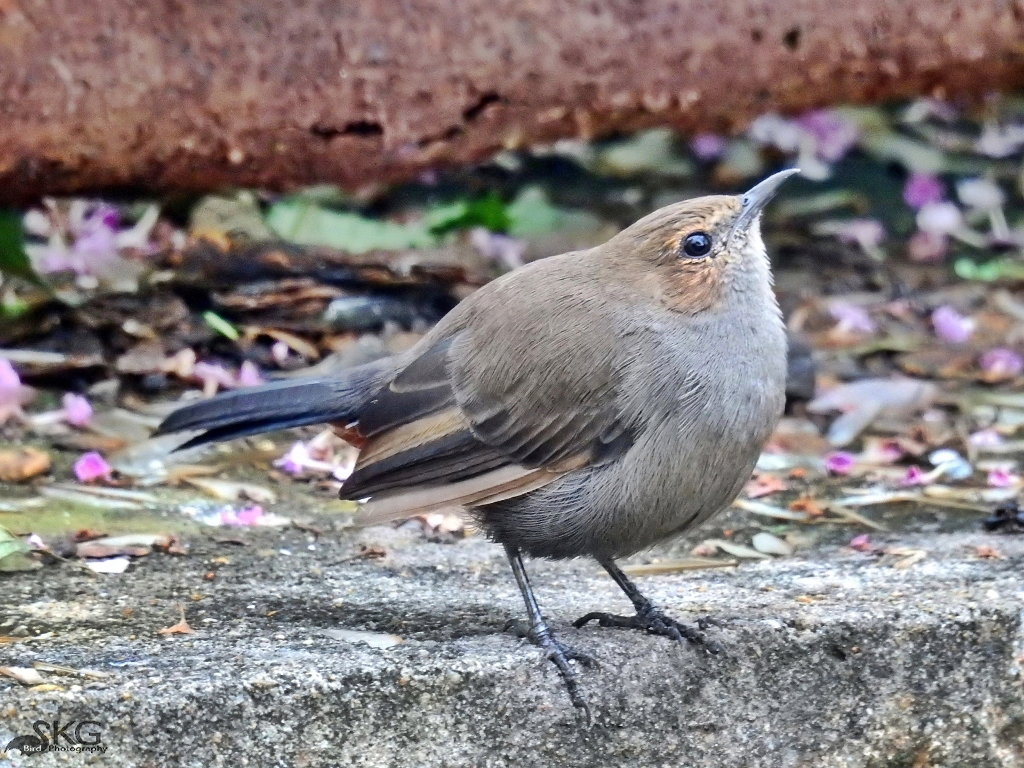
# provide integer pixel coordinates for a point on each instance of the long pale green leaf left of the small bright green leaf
(303, 223)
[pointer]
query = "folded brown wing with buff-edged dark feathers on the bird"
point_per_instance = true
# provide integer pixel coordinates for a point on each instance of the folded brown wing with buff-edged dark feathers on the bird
(491, 412)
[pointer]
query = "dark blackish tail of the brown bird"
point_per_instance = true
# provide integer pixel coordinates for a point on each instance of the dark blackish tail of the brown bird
(279, 405)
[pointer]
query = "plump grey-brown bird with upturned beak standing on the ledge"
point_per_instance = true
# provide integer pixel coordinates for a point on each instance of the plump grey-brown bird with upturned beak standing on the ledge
(590, 404)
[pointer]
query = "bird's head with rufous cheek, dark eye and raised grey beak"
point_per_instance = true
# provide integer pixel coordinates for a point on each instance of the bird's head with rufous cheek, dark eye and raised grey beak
(701, 252)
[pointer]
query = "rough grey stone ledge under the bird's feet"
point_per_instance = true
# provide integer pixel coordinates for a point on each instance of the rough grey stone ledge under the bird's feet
(830, 658)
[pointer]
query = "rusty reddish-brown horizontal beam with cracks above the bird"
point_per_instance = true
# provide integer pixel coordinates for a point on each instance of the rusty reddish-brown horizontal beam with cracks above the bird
(195, 97)
